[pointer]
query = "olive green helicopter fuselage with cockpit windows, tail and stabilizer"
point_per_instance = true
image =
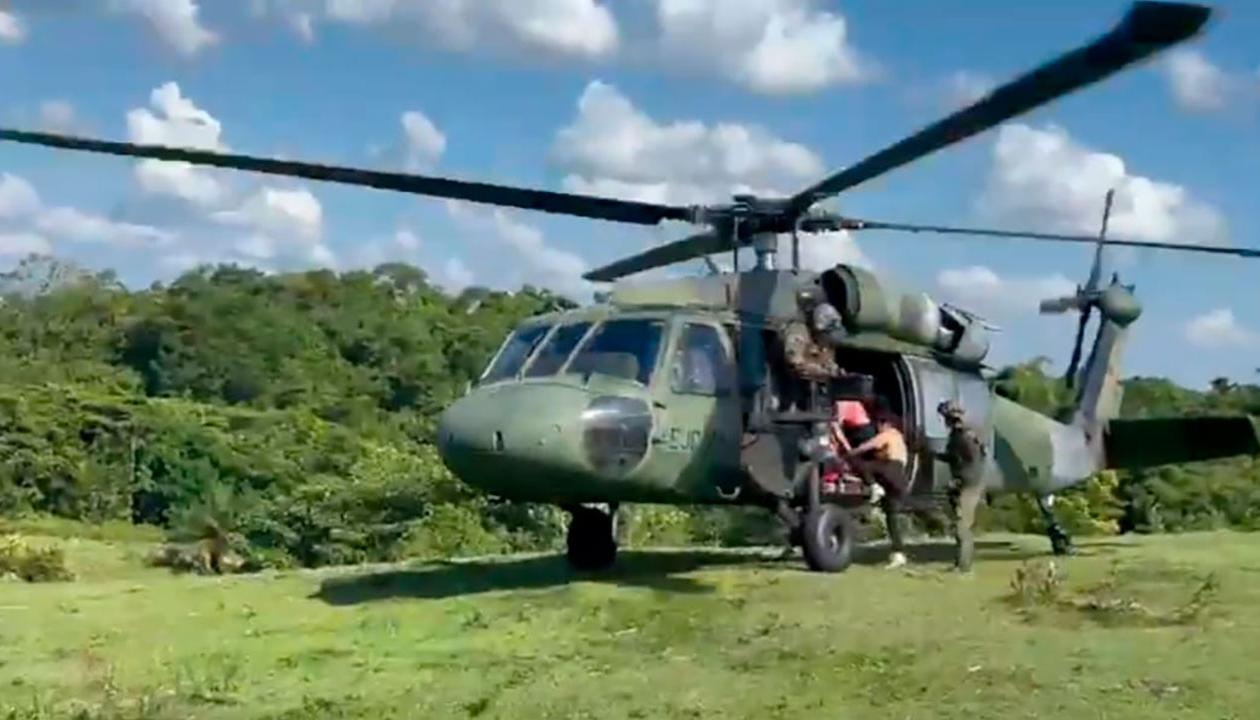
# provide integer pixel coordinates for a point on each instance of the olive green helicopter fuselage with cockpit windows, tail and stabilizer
(653, 398)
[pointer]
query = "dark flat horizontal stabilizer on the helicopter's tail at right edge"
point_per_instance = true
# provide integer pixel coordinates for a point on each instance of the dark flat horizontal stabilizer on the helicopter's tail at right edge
(1145, 443)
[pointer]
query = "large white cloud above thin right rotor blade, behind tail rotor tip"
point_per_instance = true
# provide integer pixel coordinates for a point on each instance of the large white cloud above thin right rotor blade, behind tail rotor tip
(1043, 180)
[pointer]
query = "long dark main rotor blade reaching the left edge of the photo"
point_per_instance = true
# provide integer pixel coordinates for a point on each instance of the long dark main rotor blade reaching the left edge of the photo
(544, 201)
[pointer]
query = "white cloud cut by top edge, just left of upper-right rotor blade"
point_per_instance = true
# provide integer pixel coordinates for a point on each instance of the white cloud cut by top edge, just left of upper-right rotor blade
(773, 47)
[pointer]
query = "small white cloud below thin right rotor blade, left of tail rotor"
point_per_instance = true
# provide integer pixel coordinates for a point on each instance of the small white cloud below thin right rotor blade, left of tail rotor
(981, 289)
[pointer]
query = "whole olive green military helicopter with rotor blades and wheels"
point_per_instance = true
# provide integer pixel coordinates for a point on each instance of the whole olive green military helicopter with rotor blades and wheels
(602, 405)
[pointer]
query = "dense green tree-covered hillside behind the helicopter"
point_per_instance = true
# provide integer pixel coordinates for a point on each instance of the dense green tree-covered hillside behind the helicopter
(298, 410)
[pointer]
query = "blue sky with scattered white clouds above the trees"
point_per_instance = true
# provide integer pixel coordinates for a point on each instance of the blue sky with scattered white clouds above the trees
(667, 100)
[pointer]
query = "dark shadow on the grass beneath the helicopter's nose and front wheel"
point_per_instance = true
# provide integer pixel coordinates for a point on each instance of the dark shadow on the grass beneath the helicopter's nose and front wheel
(658, 571)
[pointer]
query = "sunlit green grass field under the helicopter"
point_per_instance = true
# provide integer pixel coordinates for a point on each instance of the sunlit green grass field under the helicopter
(1154, 627)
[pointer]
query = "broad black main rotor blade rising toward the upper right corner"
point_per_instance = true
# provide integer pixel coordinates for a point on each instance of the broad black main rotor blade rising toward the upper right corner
(1146, 30)
